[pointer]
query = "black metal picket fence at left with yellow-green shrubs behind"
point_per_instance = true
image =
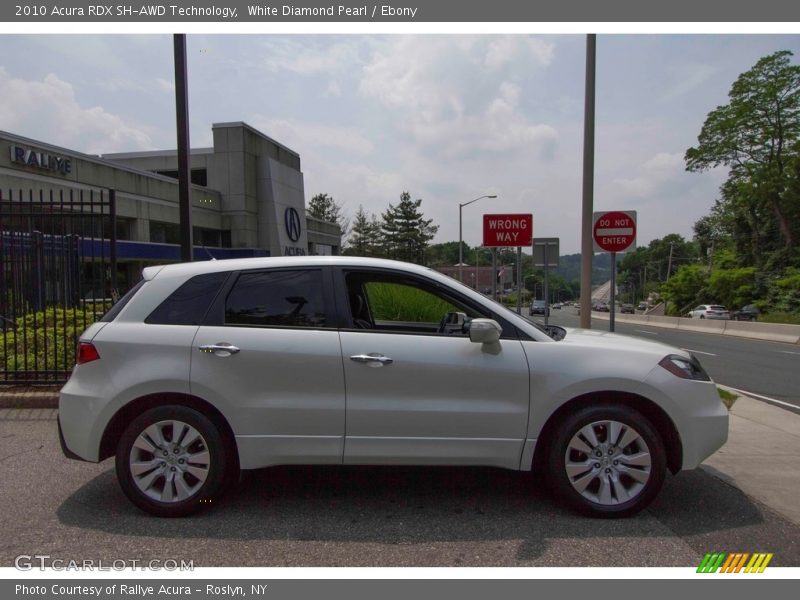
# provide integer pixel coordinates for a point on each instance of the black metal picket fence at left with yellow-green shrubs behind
(57, 276)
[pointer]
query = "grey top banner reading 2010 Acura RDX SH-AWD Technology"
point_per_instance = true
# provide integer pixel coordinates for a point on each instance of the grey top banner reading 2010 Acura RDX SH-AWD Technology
(406, 11)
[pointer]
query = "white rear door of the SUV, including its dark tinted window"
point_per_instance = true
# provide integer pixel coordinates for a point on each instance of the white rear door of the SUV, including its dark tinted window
(269, 353)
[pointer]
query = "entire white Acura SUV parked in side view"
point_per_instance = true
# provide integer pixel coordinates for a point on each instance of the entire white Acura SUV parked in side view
(206, 368)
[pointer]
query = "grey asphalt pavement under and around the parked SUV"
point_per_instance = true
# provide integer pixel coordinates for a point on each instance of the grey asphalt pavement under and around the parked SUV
(367, 517)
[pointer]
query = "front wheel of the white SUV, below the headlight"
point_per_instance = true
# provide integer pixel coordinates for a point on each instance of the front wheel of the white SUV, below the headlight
(619, 482)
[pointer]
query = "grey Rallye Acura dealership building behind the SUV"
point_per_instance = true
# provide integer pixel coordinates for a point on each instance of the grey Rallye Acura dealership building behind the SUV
(247, 197)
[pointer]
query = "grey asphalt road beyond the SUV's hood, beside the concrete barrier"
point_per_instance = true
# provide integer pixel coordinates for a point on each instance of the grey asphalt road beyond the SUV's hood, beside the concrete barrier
(770, 369)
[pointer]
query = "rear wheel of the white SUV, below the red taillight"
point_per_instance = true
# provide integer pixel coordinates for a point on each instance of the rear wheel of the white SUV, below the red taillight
(188, 477)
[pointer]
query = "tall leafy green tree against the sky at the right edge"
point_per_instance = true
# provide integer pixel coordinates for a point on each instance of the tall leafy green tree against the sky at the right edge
(757, 135)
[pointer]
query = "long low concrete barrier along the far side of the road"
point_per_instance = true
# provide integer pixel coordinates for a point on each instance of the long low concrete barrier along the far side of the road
(773, 332)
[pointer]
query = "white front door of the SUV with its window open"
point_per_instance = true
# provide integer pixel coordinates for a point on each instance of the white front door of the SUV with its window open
(418, 390)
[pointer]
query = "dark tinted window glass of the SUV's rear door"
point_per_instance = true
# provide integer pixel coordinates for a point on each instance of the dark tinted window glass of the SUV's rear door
(277, 299)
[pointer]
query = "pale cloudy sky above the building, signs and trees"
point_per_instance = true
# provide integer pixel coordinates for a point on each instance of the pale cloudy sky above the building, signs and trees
(446, 117)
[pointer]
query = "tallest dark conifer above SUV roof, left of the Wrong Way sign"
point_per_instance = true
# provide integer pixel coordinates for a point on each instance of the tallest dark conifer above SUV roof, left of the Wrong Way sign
(406, 232)
